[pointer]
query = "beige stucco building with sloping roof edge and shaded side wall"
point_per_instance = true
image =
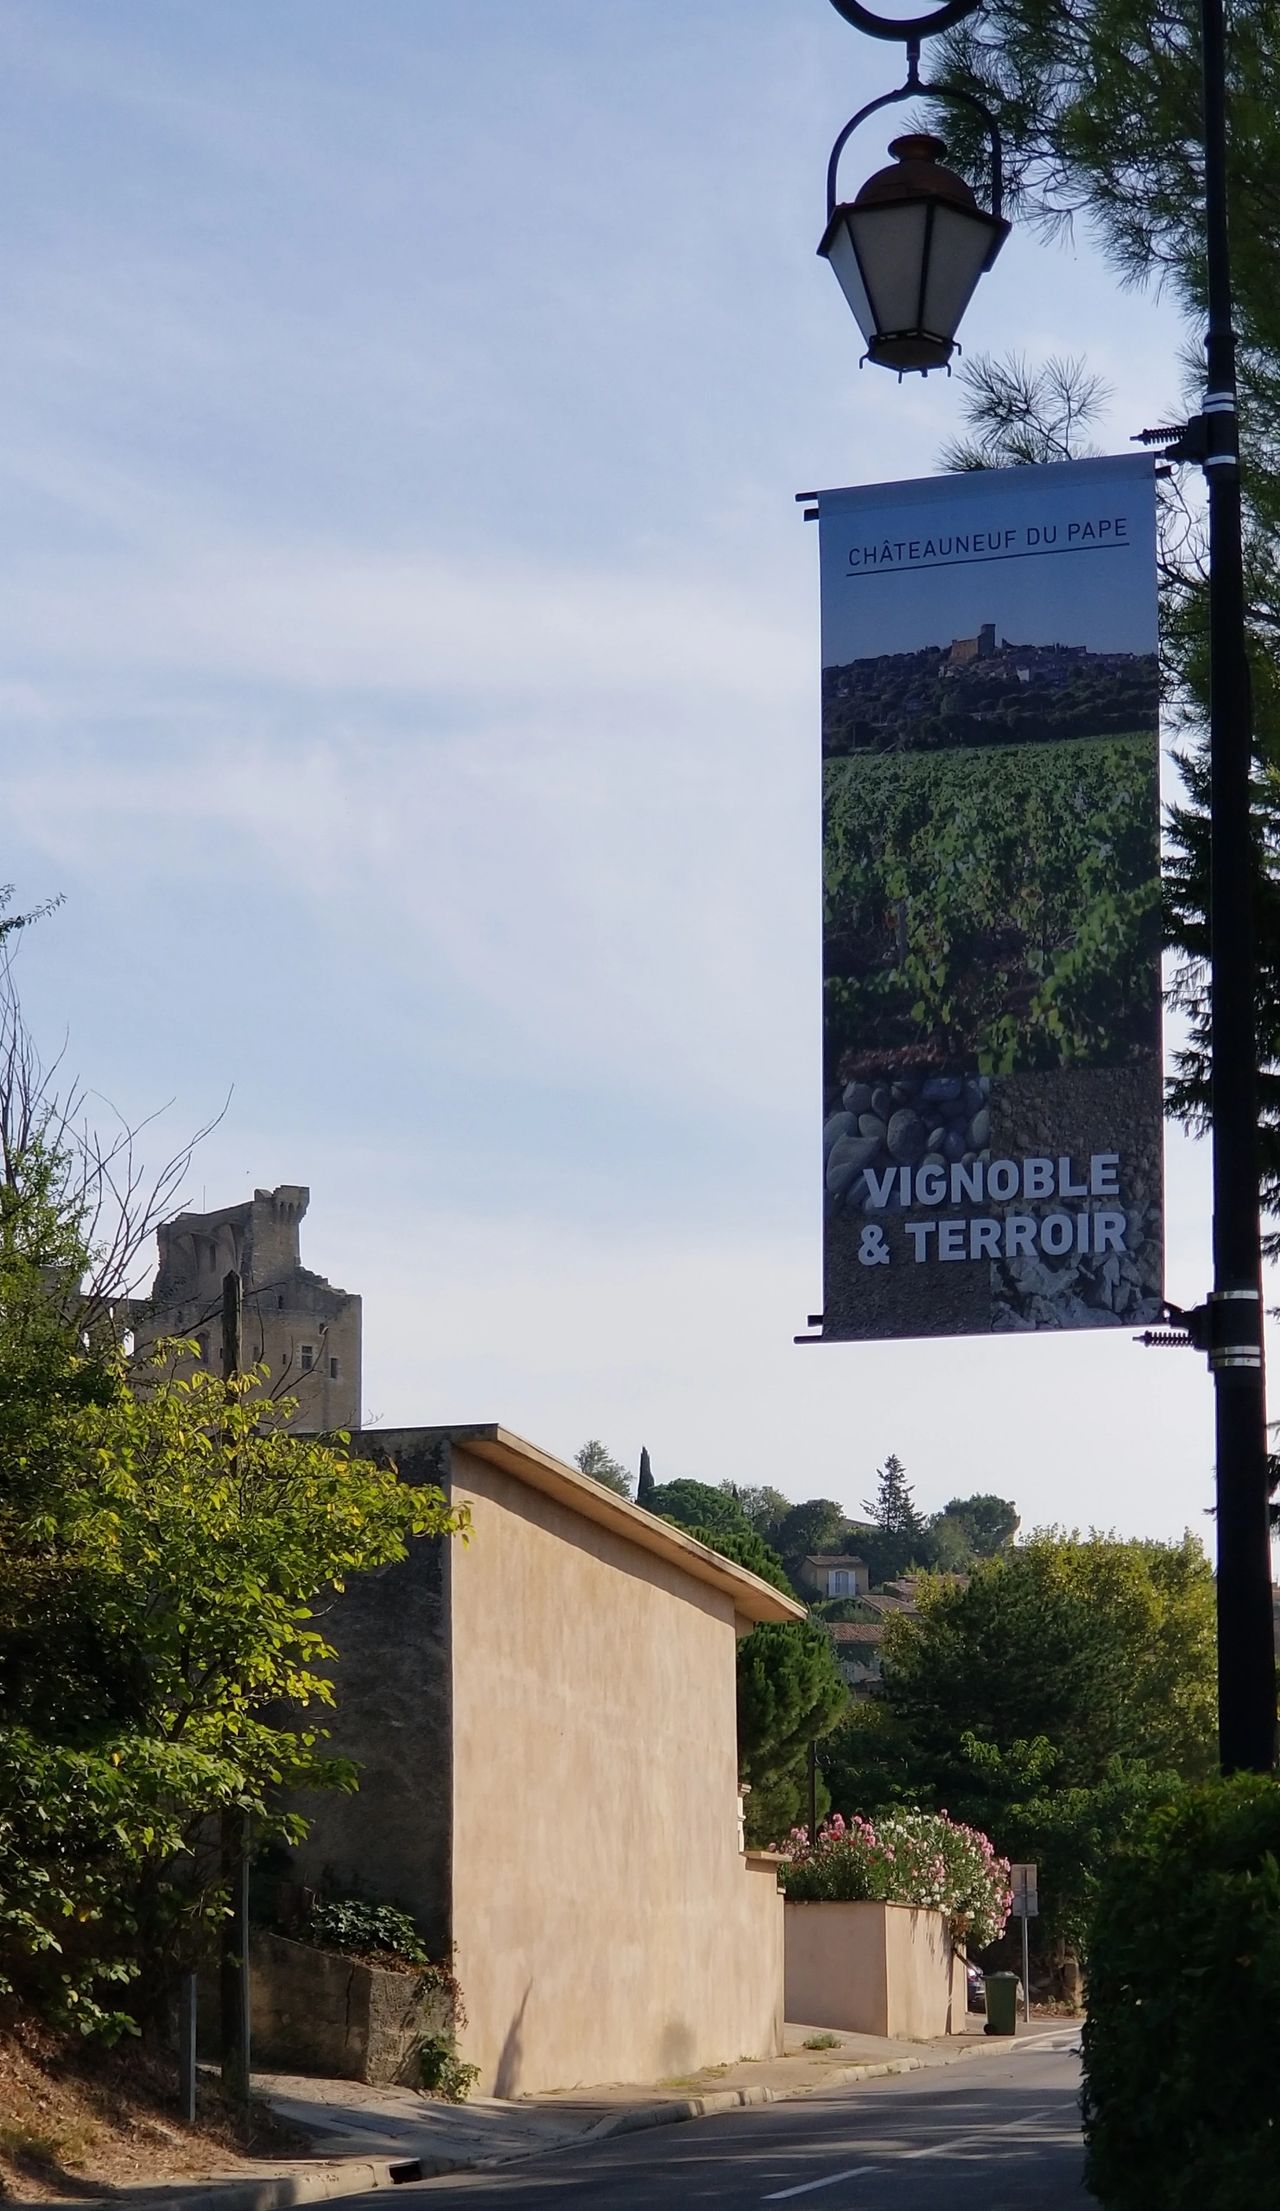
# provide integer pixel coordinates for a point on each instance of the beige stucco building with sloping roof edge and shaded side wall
(547, 1732)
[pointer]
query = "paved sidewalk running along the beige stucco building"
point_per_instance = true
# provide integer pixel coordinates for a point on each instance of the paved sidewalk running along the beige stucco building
(373, 2139)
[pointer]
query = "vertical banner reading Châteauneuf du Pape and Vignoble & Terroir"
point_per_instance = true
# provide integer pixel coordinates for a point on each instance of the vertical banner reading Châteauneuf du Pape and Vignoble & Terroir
(992, 1038)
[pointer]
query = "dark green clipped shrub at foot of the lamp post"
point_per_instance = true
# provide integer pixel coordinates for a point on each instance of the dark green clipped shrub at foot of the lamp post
(1184, 1967)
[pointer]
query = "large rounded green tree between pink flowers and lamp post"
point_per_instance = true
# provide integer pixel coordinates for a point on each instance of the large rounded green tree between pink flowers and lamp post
(1049, 1701)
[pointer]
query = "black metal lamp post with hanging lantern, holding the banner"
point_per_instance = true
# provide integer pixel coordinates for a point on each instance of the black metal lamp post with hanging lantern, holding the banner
(1228, 1328)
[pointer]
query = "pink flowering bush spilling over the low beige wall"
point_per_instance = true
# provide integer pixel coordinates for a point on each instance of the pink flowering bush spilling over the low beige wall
(903, 1858)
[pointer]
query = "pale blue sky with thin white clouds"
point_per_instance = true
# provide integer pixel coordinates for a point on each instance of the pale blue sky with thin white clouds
(410, 675)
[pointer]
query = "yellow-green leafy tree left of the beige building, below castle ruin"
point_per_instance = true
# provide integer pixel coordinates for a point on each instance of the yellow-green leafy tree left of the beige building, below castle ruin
(187, 1536)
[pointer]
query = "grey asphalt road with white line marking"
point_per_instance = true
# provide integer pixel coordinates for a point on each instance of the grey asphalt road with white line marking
(992, 2135)
